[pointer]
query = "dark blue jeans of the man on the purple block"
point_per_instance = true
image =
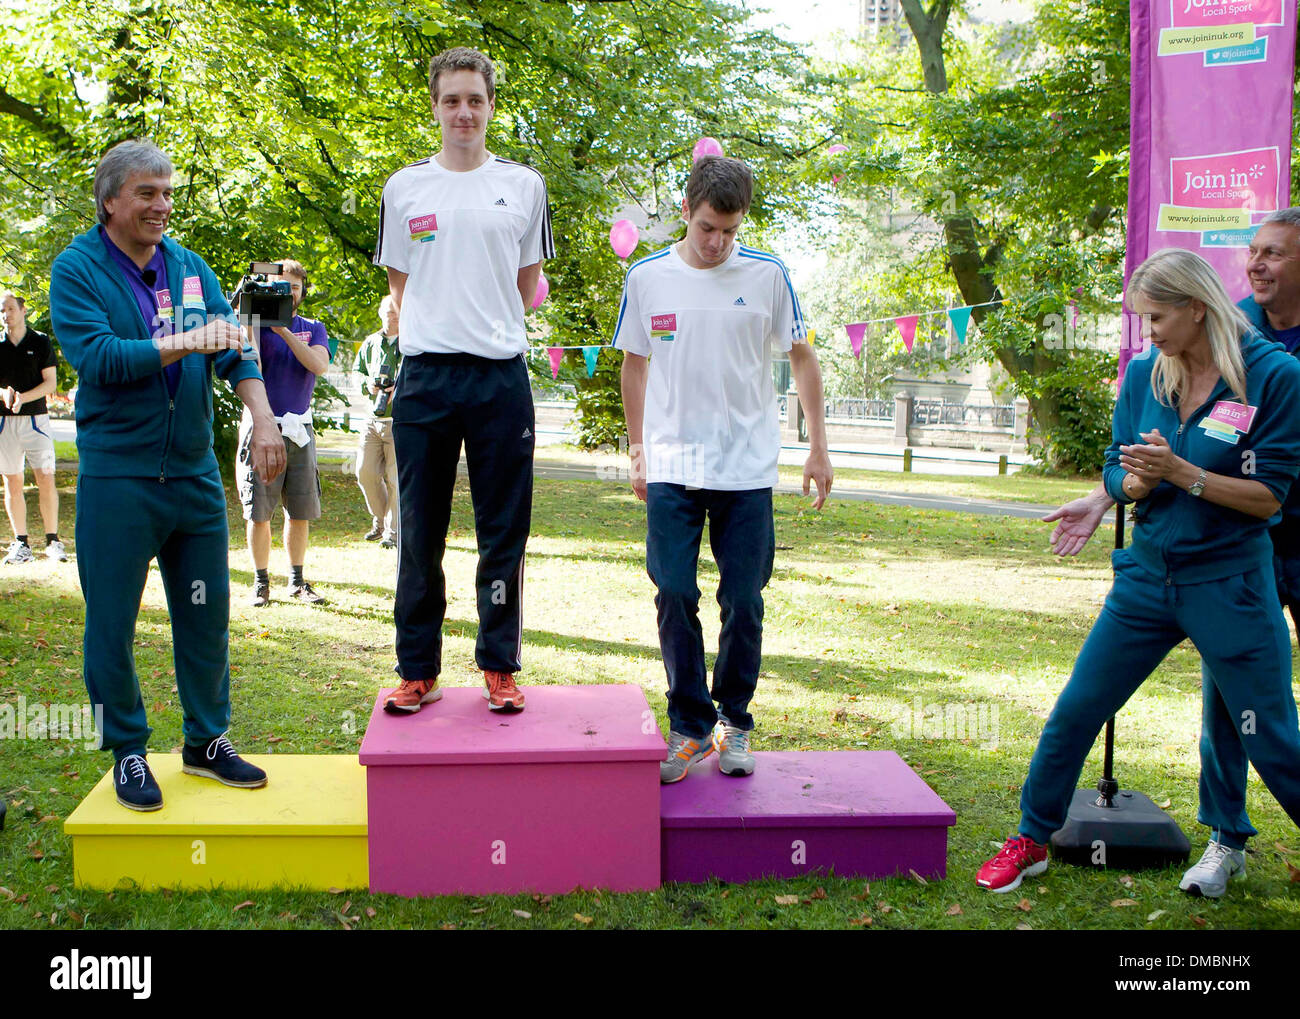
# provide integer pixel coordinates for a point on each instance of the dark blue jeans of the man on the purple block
(743, 539)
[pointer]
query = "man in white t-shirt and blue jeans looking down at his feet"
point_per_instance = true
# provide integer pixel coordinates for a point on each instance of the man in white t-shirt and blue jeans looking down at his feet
(697, 327)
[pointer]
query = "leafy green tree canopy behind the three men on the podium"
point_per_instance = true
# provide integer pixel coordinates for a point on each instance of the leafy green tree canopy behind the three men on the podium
(284, 123)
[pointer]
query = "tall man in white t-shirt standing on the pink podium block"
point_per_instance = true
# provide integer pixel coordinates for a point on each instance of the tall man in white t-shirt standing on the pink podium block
(463, 236)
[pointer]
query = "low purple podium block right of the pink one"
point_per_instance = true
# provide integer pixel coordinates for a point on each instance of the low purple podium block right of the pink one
(865, 814)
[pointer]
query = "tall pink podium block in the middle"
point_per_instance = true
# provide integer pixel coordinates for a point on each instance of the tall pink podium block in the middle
(561, 796)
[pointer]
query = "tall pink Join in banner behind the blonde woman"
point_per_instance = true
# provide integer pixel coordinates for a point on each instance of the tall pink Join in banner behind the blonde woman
(1210, 135)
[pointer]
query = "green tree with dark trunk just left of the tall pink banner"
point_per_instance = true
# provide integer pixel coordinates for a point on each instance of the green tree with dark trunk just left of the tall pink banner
(1016, 144)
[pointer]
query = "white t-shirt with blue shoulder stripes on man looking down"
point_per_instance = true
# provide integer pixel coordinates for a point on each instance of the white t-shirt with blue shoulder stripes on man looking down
(710, 413)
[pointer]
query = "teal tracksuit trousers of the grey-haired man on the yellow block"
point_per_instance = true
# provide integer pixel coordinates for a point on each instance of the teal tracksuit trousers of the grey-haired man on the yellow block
(122, 526)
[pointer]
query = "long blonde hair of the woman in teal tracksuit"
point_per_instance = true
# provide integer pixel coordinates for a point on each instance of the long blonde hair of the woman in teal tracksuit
(1177, 277)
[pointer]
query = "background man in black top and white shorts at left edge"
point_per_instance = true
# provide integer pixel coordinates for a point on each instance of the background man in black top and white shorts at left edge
(27, 378)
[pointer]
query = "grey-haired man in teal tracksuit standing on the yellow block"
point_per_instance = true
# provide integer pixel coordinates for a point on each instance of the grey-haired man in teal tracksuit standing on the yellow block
(145, 323)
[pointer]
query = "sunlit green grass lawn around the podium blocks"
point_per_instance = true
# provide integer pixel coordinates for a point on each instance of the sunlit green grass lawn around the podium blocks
(870, 609)
